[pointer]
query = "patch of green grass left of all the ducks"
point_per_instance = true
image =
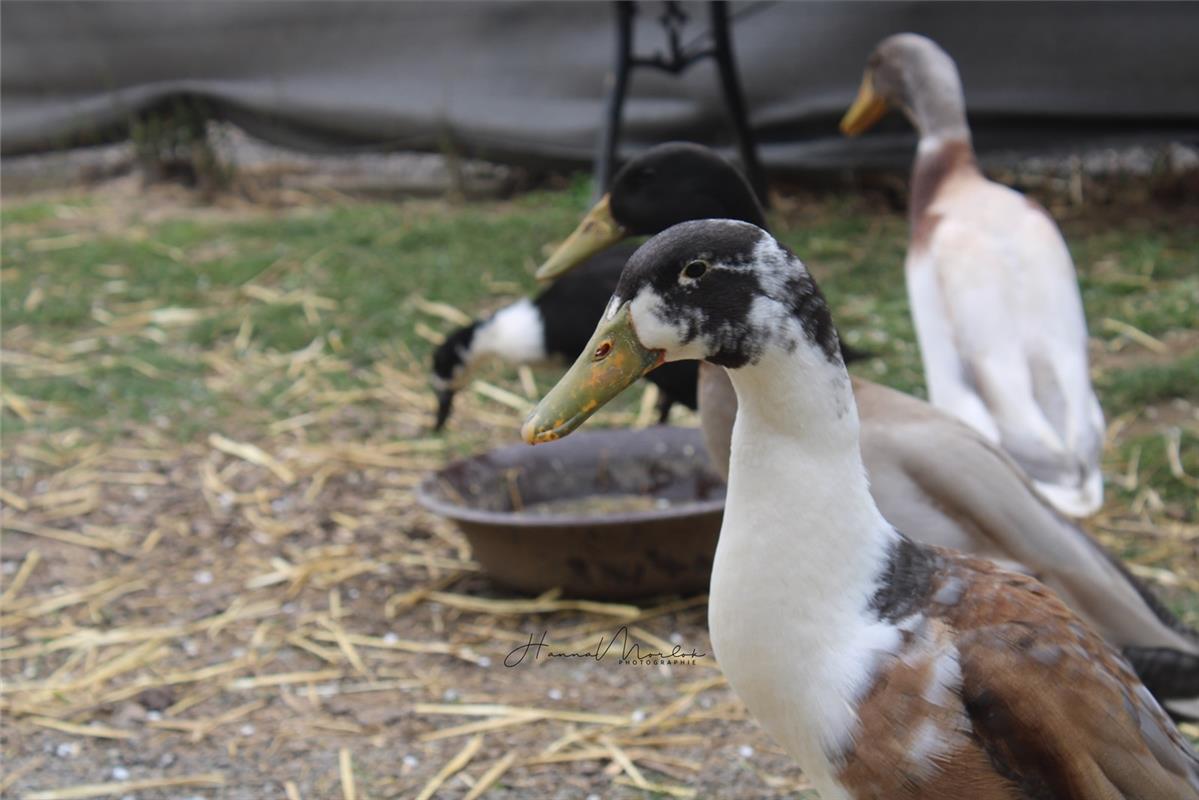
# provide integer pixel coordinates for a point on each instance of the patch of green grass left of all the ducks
(369, 261)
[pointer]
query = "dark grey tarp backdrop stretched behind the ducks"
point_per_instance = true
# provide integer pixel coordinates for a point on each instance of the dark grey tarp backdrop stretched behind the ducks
(525, 82)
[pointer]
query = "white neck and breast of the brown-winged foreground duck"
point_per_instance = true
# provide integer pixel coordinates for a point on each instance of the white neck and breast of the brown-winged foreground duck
(800, 560)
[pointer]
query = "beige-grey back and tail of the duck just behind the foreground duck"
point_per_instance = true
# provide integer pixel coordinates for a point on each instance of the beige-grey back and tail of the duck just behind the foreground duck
(943, 482)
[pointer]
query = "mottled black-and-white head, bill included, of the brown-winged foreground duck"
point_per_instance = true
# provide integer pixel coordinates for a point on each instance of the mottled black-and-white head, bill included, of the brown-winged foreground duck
(718, 291)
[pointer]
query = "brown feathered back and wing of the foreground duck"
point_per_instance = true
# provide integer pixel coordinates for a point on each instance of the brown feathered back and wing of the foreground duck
(997, 693)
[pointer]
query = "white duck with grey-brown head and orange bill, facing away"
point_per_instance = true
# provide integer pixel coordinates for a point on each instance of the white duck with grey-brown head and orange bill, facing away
(991, 284)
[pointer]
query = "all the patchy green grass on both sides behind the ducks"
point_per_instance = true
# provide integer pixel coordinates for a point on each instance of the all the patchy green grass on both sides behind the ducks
(346, 276)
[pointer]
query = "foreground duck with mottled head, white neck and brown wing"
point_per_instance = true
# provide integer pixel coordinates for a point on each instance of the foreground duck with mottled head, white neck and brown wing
(884, 667)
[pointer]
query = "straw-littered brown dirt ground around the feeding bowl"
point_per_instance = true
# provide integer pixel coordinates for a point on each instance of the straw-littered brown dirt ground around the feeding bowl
(267, 612)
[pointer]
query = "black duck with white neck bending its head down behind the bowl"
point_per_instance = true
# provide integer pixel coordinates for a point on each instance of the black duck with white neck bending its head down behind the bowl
(555, 326)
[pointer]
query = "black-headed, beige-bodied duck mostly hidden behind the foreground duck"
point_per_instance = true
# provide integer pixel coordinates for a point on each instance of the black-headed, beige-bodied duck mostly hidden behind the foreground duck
(930, 474)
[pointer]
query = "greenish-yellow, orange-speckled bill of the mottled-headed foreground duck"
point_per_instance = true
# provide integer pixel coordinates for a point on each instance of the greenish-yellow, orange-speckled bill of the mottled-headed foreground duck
(613, 359)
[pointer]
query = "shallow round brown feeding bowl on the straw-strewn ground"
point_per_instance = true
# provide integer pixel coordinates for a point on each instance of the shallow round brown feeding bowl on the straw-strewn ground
(611, 556)
